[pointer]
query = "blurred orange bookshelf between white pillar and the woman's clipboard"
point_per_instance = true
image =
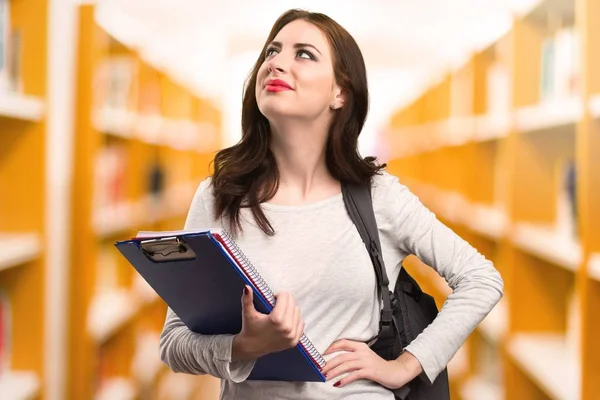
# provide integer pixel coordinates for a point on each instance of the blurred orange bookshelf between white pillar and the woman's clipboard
(143, 144)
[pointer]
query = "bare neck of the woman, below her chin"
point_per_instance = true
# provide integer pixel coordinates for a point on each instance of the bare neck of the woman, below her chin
(299, 149)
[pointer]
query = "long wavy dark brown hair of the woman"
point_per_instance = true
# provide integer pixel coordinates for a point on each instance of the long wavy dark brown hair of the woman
(246, 174)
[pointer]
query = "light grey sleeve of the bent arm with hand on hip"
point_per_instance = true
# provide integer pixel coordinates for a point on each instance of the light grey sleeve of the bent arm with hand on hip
(477, 285)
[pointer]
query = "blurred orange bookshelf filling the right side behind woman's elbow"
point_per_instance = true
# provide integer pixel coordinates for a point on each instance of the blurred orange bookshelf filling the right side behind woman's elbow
(504, 149)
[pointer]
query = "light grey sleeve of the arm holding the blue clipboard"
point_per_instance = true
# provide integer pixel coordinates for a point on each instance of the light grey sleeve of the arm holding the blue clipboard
(185, 351)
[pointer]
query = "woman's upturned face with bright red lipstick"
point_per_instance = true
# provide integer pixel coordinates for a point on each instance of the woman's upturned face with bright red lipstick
(297, 78)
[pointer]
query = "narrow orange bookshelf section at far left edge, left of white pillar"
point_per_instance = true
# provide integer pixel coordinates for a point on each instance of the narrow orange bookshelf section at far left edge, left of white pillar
(22, 208)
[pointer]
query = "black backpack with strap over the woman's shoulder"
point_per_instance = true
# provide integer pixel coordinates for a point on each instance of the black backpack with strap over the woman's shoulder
(406, 312)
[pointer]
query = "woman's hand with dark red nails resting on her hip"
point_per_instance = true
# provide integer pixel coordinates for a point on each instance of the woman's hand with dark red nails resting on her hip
(363, 363)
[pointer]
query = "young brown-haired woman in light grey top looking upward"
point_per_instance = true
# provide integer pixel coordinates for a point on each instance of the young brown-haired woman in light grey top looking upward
(279, 191)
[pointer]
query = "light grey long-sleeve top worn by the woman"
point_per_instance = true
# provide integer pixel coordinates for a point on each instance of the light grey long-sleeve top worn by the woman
(318, 256)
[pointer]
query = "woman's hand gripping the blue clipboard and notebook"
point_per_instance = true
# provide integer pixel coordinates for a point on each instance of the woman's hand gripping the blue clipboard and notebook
(263, 334)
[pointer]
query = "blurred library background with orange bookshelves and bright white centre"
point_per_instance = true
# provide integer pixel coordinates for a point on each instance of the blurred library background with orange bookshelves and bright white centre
(110, 112)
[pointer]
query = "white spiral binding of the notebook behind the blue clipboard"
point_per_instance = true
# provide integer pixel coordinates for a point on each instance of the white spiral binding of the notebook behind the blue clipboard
(262, 286)
